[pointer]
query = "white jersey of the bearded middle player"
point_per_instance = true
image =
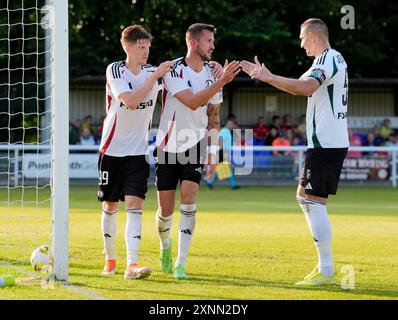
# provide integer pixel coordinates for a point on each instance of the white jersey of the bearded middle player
(180, 127)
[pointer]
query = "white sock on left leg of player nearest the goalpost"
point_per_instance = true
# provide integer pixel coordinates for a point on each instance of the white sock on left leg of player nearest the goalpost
(108, 226)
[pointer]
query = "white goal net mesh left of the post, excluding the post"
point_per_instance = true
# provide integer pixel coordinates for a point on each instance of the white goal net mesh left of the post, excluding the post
(25, 132)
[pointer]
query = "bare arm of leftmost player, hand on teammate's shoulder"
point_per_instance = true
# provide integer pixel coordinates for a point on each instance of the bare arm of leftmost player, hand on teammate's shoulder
(132, 99)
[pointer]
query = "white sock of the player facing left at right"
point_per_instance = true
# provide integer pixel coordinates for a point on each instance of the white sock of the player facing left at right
(321, 230)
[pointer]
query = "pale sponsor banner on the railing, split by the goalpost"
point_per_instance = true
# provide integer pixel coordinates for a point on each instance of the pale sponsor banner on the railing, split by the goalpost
(80, 166)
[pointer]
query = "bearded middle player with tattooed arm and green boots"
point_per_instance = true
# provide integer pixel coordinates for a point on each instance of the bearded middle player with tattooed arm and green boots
(191, 99)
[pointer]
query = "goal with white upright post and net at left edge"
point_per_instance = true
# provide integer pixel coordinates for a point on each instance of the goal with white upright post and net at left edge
(33, 133)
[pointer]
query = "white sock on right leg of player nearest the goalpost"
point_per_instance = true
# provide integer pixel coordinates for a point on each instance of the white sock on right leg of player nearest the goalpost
(133, 234)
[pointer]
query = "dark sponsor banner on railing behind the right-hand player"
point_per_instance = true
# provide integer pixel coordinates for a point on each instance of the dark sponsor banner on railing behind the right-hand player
(365, 169)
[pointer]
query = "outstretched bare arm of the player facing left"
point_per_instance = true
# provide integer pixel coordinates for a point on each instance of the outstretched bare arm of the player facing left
(304, 87)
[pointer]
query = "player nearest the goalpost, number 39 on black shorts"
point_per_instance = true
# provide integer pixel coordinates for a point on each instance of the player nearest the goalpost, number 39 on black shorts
(131, 91)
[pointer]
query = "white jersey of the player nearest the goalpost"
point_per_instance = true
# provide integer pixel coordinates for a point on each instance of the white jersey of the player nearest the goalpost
(125, 130)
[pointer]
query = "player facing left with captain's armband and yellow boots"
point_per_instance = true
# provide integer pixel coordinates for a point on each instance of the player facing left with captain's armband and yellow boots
(326, 85)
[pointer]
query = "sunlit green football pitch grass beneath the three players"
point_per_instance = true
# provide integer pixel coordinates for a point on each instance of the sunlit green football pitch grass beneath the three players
(251, 243)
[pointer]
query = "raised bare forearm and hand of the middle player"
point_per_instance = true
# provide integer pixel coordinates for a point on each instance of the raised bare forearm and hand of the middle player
(196, 100)
